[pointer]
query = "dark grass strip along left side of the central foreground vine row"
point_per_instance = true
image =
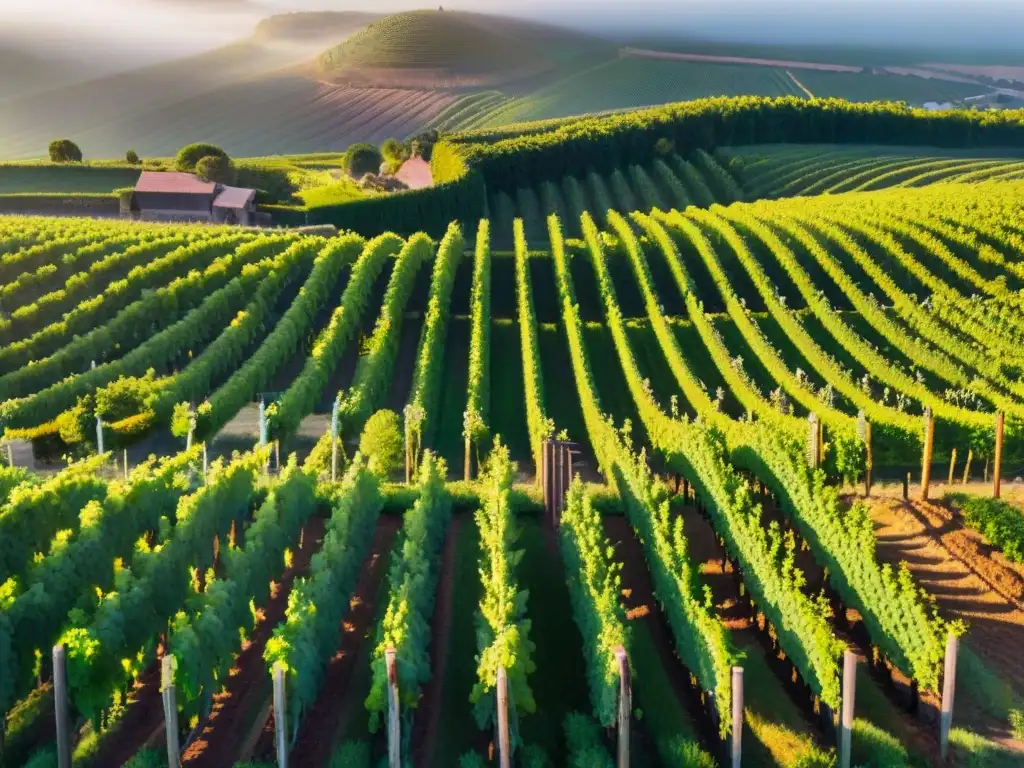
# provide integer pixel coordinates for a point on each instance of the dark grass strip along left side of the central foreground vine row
(456, 731)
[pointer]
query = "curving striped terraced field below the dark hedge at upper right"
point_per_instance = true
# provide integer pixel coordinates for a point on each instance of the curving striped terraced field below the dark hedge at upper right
(783, 172)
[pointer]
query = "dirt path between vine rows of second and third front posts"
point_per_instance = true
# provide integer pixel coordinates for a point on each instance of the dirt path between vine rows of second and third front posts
(240, 711)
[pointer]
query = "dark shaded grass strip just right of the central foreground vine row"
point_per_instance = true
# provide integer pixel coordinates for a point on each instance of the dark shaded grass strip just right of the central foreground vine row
(560, 684)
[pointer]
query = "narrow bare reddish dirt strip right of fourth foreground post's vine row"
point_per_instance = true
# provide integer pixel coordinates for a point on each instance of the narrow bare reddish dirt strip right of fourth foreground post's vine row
(430, 709)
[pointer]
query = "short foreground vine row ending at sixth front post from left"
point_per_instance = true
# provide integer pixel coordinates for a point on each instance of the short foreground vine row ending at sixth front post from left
(595, 586)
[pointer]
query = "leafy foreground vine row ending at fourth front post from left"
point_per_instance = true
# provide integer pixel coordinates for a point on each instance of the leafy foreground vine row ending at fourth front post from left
(412, 592)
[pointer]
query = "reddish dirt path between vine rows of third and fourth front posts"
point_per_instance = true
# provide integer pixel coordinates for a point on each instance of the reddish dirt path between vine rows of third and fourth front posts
(337, 701)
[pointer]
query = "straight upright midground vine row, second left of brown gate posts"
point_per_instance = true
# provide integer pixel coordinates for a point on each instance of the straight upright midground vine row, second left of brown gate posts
(479, 395)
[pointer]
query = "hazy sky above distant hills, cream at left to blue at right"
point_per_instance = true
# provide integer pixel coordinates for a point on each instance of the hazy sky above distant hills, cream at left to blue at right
(145, 31)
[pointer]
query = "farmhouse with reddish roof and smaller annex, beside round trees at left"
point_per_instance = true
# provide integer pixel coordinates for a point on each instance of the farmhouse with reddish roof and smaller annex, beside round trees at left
(184, 197)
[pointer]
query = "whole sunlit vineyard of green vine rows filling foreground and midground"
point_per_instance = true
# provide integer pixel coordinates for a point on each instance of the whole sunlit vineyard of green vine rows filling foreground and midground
(731, 373)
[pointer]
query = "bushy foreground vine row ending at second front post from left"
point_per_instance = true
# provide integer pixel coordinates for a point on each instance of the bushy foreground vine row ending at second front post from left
(205, 637)
